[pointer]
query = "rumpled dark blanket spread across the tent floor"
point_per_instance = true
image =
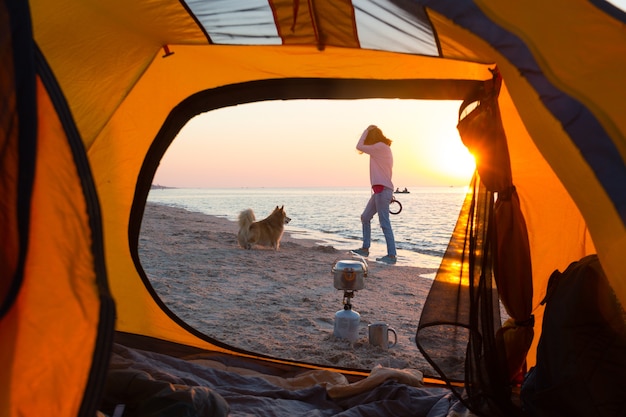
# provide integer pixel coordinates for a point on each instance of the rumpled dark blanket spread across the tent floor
(151, 384)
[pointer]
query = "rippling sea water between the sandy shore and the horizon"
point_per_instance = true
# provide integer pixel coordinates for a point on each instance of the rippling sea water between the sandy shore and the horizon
(331, 216)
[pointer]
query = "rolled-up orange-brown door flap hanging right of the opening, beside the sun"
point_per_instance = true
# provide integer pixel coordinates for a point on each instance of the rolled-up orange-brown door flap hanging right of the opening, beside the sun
(481, 131)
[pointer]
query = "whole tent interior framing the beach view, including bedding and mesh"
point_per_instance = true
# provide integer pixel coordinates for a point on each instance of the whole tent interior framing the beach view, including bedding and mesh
(94, 93)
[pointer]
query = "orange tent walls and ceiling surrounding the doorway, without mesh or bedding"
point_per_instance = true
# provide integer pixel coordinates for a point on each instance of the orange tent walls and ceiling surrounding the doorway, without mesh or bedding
(96, 91)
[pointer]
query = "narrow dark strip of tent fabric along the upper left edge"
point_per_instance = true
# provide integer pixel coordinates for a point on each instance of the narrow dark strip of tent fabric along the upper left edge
(18, 149)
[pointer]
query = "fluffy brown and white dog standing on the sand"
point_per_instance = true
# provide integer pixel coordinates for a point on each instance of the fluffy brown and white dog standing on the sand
(266, 232)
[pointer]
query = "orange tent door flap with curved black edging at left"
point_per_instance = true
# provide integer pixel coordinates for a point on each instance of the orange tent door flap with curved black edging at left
(62, 313)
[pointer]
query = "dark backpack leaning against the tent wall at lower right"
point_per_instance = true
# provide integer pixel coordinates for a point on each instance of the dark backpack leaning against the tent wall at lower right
(581, 355)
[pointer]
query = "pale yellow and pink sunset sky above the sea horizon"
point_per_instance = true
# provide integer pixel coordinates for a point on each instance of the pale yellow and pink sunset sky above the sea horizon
(311, 143)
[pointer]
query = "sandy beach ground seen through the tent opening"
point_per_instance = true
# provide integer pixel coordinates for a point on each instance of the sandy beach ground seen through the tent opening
(278, 303)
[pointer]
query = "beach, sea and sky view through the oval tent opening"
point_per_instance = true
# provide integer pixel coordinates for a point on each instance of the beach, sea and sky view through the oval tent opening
(299, 154)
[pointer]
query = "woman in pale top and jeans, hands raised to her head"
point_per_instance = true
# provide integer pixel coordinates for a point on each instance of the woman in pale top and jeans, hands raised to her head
(374, 143)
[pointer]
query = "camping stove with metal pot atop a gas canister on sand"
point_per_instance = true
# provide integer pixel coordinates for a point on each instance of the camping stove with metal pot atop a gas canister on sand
(348, 276)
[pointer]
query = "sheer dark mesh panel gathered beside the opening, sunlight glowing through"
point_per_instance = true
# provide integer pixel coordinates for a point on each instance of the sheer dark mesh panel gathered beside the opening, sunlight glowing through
(461, 315)
